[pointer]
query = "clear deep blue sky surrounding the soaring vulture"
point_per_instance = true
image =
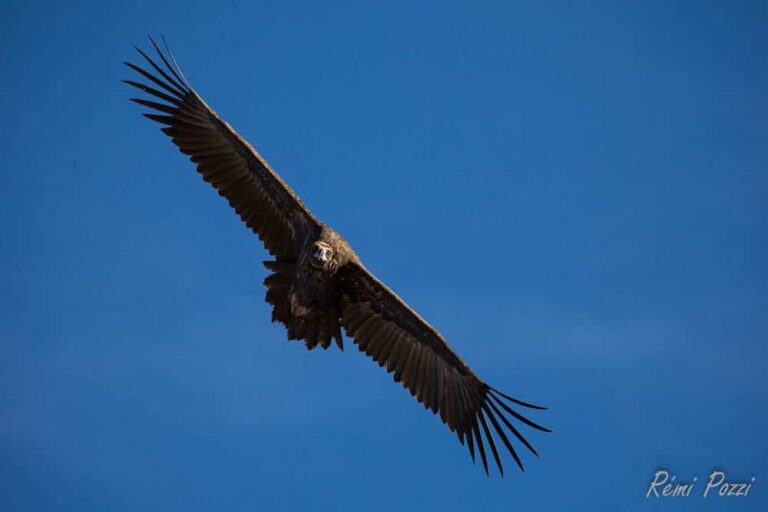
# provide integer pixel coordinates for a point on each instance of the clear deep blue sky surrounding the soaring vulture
(575, 195)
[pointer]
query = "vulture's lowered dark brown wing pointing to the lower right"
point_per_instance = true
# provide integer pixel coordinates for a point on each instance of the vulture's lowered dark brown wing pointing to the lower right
(397, 338)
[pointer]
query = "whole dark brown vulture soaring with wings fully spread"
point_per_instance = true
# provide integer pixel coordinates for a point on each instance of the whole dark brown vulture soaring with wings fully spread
(317, 285)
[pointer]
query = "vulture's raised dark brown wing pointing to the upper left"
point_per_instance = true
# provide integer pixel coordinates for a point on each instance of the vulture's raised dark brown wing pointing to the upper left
(264, 202)
